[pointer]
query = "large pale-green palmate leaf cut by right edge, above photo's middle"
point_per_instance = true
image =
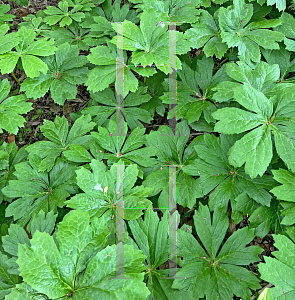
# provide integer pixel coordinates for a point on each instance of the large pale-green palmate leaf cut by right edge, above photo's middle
(273, 115)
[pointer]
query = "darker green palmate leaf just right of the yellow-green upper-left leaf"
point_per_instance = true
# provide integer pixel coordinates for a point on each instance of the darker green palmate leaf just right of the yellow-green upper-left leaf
(65, 71)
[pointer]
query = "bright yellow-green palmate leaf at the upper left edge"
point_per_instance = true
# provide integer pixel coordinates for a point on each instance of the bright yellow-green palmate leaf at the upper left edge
(28, 51)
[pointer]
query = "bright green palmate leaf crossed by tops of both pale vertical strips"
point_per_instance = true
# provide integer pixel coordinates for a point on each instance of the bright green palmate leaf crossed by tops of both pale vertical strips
(150, 41)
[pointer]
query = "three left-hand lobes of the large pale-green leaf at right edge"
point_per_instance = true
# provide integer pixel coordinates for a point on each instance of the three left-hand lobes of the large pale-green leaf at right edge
(256, 144)
